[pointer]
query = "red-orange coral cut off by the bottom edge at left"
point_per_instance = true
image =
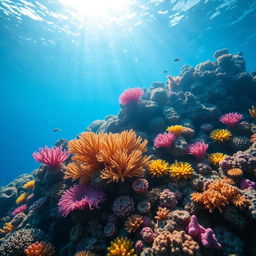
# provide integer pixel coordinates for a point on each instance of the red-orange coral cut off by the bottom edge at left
(40, 249)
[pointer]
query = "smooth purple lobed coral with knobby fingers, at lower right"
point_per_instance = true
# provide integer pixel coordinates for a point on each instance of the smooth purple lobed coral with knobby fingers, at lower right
(199, 233)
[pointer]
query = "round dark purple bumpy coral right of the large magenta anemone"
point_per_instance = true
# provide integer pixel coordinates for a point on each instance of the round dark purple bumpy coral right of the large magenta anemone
(123, 206)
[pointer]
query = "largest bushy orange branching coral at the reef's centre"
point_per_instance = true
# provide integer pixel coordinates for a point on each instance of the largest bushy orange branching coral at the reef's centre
(116, 156)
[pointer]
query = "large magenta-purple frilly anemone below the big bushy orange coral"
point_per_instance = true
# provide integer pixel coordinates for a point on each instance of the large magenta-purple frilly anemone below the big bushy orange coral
(81, 196)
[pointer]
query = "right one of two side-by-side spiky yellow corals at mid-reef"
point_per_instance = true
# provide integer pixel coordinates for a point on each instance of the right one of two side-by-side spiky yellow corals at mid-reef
(181, 170)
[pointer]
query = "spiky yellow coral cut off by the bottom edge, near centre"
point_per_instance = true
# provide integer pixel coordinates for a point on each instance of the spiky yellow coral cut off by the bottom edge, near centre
(121, 246)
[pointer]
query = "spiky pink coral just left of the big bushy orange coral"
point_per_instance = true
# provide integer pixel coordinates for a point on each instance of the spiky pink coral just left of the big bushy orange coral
(51, 156)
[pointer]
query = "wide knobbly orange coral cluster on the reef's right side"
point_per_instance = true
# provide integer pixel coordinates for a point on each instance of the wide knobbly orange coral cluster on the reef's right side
(219, 194)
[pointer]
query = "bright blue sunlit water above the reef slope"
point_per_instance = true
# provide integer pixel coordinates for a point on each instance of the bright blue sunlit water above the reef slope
(63, 64)
